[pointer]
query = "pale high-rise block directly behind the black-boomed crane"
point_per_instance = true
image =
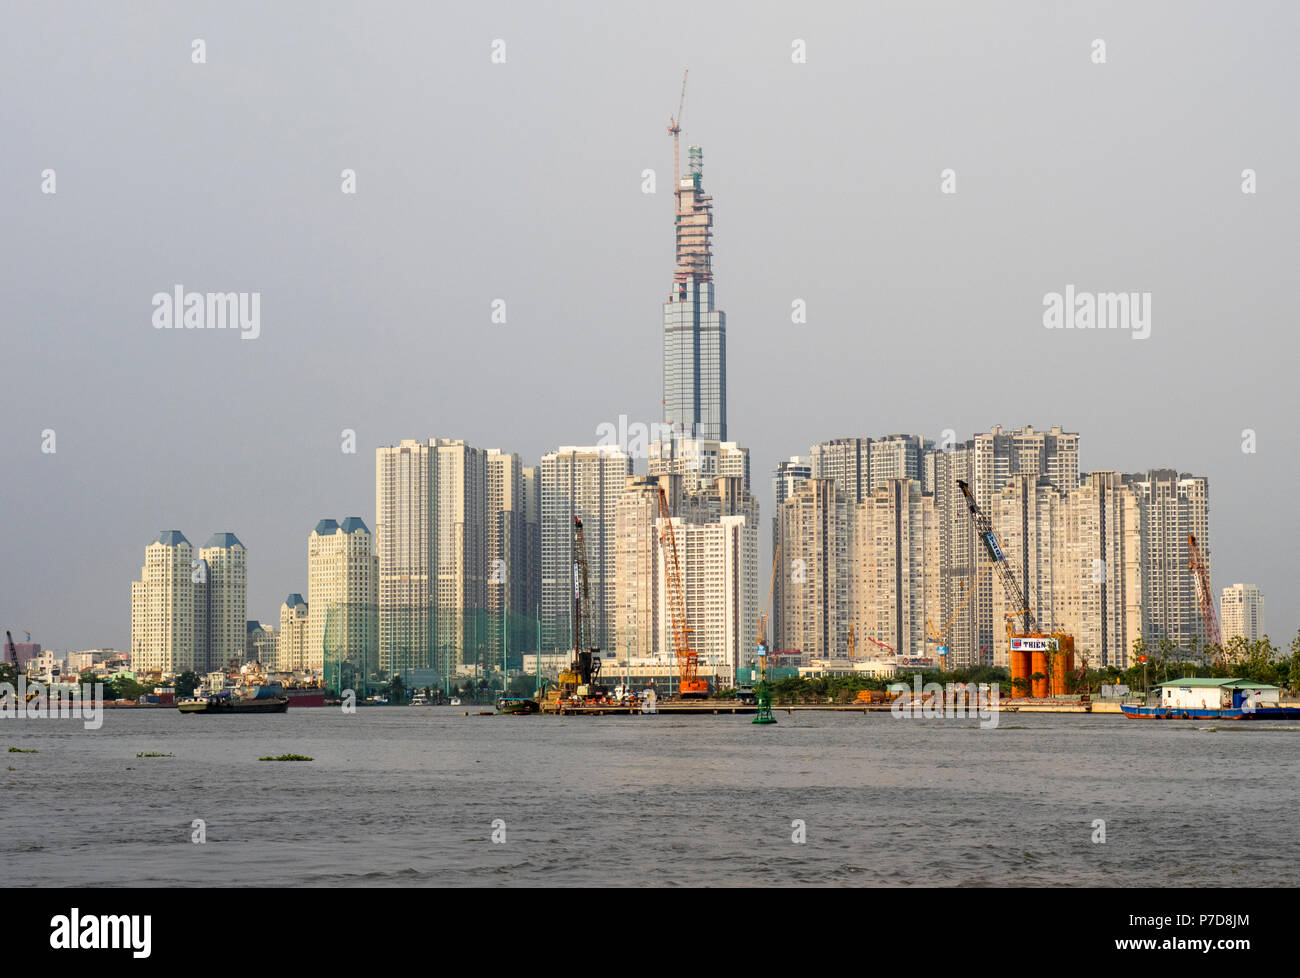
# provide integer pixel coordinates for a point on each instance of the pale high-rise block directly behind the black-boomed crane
(586, 483)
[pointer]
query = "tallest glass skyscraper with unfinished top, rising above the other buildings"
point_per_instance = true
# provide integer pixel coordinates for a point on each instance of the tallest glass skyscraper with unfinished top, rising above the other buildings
(695, 334)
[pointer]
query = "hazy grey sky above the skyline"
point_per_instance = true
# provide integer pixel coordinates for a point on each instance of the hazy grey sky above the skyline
(519, 179)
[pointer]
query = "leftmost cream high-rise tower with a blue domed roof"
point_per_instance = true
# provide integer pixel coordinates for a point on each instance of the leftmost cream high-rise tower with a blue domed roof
(163, 625)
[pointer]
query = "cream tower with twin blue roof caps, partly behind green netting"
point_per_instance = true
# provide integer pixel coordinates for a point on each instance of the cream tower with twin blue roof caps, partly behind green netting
(343, 591)
